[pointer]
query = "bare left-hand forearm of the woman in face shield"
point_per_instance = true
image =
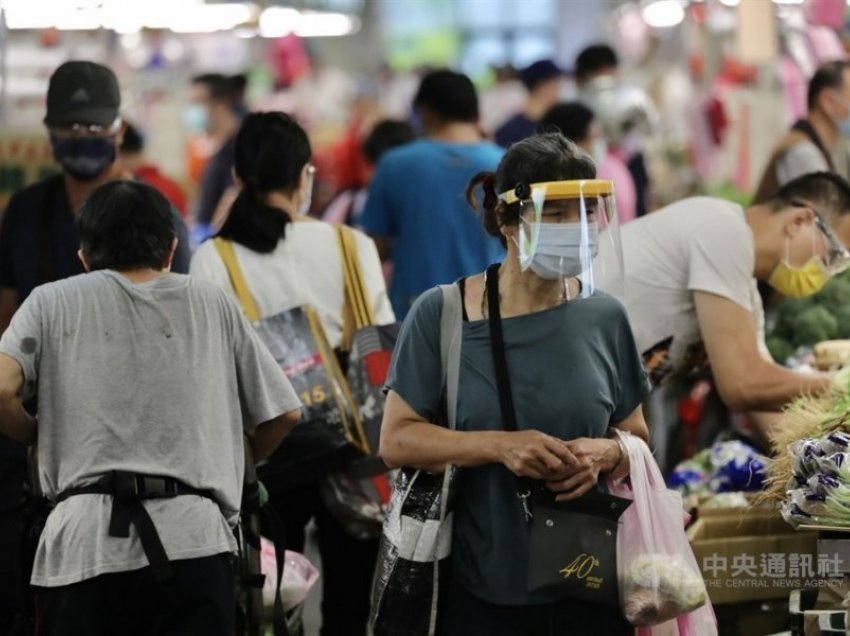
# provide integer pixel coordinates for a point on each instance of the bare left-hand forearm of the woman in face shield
(432, 447)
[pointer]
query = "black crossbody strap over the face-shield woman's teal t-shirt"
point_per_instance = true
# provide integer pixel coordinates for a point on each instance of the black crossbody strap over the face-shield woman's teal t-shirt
(503, 380)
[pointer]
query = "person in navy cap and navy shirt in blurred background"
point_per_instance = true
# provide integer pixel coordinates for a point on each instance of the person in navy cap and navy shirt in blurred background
(543, 80)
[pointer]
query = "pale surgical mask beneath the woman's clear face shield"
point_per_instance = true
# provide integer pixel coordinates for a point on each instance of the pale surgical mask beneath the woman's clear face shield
(563, 251)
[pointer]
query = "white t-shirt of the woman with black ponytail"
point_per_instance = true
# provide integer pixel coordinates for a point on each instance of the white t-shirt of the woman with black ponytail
(304, 268)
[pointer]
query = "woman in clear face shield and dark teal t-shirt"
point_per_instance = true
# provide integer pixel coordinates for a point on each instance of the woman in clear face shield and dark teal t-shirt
(574, 374)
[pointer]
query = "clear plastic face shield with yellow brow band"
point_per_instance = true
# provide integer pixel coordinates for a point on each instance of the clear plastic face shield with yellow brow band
(569, 229)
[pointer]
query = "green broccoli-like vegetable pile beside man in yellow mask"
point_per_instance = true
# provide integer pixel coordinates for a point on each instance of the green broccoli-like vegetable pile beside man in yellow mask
(807, 321)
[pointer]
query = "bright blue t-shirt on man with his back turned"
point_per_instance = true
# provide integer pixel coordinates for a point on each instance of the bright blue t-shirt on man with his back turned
(417, 200)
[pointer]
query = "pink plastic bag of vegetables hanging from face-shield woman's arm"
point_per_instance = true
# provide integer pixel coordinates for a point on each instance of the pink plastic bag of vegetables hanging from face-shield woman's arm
(661, 589)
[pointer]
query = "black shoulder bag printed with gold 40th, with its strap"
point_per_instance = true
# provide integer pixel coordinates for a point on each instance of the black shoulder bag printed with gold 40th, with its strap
(574, 543)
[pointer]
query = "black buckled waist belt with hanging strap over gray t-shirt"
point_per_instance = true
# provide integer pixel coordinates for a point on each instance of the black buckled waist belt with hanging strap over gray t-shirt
(128, 491)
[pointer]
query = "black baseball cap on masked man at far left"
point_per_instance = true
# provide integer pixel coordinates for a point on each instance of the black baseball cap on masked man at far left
(82, 93)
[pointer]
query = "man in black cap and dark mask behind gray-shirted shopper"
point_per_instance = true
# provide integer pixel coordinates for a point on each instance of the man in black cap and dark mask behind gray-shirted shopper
(39, 243)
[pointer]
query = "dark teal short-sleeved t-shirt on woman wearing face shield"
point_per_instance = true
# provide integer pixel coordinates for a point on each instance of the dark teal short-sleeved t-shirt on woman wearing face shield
(574, 370)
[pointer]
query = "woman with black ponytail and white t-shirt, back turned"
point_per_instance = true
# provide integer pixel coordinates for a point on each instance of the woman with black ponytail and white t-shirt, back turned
(289, 259)
